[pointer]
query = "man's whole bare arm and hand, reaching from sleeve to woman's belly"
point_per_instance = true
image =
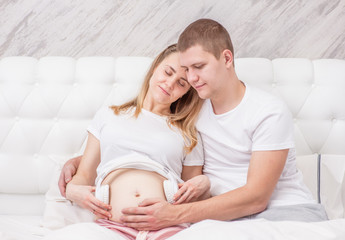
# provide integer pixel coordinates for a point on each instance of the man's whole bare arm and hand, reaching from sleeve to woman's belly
(264, 171)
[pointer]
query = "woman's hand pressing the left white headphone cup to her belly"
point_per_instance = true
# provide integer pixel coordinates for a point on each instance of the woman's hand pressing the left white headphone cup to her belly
(83, 196)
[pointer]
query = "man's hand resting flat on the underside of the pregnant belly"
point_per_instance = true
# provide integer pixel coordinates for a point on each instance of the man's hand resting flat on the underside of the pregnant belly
(152, 214)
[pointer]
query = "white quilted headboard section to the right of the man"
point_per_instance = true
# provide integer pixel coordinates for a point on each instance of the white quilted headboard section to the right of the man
(315, 94)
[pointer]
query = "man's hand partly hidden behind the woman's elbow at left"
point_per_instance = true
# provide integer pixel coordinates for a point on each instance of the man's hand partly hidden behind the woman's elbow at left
(67, 172)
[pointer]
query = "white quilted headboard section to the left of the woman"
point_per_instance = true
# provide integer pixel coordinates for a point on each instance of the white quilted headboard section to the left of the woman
(45, 107)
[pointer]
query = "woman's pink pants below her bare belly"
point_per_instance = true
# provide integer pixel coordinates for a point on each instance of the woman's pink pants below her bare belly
(133, 234)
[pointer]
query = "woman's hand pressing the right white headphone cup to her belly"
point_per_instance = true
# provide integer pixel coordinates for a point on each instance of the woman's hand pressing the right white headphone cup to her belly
(196, 188)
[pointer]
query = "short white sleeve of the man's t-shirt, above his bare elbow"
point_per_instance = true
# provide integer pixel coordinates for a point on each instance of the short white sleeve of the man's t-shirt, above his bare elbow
(273, 128)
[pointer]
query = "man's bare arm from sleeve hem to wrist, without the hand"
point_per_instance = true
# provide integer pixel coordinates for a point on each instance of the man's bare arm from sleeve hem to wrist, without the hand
(263, 174)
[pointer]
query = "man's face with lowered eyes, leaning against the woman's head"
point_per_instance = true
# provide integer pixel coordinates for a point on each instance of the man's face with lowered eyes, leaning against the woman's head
(203, 70)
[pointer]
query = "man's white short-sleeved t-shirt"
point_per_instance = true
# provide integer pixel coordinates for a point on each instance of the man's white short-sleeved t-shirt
(260, 122)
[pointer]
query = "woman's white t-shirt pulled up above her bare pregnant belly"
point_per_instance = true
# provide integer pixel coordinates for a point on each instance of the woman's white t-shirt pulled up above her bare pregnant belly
(149, 134)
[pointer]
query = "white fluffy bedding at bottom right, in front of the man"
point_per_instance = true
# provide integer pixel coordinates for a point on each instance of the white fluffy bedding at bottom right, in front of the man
(261, 229)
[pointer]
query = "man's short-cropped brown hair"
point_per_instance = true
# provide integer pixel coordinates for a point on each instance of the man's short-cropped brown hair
(209, 34)
